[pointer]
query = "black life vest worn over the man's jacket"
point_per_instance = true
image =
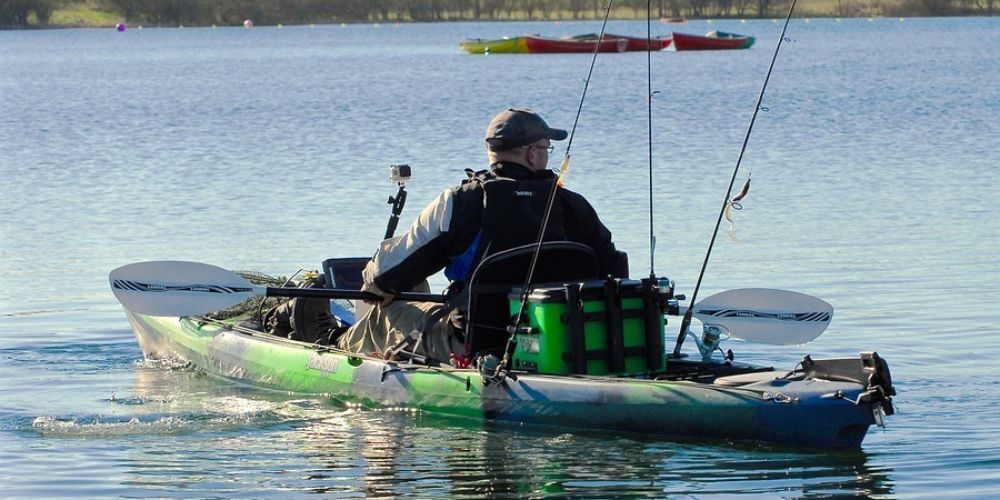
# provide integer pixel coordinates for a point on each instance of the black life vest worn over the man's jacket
(513, 212)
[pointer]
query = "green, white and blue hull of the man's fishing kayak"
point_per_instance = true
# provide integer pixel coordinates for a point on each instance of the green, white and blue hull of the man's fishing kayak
(822, 404)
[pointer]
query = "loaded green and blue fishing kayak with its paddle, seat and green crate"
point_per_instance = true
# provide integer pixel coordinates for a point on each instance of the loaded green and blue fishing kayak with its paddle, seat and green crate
(584, 353)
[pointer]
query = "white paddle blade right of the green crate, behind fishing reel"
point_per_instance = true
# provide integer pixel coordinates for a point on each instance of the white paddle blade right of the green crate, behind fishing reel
(778, 317)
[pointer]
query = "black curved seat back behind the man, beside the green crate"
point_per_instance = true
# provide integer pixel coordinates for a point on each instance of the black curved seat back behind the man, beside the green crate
(488, 306)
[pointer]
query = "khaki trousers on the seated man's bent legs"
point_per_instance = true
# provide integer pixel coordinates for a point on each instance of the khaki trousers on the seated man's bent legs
(383, 327)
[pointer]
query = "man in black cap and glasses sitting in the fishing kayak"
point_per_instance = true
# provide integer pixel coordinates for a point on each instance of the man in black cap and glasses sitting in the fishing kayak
(491, 211)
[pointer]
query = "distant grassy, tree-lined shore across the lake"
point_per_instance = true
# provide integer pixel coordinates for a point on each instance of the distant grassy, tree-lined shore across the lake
(45, 14)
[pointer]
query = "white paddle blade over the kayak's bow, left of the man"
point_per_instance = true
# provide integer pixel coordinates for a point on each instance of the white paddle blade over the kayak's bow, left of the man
(177, 288)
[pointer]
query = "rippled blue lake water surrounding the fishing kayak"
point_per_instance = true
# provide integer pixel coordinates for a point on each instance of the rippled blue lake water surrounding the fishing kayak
(874, 168)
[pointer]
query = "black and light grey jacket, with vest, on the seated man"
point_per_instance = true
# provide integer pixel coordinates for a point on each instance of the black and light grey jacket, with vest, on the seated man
(492, 211)
